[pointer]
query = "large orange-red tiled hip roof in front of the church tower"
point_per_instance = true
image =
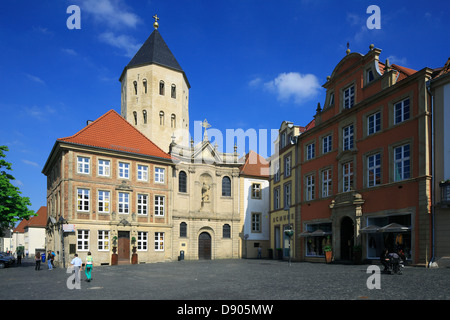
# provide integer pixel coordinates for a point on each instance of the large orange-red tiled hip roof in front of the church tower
(112, 131)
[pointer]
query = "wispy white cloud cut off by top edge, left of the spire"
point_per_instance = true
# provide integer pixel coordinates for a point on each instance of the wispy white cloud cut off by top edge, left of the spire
(113, 13)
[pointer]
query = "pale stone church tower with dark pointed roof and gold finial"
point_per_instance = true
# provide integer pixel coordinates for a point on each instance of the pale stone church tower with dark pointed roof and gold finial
(155, 93)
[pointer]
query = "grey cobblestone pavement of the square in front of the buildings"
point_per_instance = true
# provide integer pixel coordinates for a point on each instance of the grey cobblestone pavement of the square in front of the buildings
(225, 280)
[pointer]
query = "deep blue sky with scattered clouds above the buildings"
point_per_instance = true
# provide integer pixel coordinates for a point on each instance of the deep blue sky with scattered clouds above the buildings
(251, 64)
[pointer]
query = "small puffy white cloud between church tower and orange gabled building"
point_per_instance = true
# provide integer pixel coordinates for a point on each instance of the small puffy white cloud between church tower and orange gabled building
(294, 85)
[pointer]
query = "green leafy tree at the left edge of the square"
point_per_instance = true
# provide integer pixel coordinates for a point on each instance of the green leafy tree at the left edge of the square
(13, 207)
